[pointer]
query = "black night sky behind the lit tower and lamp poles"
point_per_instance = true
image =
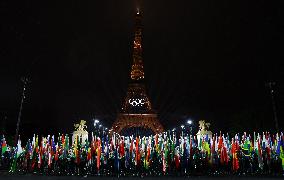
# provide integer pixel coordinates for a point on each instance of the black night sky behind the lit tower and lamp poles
(203, 60)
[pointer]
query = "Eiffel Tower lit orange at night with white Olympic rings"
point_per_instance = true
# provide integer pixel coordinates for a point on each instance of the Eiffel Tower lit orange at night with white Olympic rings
(136, 111)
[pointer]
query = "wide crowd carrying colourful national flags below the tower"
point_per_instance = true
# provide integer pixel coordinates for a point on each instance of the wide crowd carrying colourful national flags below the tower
(167, 153)
